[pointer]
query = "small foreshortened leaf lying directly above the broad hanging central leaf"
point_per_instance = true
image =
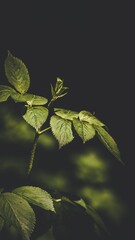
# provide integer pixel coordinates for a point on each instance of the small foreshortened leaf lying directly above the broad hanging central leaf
(66, 114)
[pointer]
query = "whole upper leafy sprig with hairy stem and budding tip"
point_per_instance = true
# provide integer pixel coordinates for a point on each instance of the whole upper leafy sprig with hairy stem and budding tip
(85, 123)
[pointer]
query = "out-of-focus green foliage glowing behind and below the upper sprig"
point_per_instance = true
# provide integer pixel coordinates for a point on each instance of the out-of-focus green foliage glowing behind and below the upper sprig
(87, 174)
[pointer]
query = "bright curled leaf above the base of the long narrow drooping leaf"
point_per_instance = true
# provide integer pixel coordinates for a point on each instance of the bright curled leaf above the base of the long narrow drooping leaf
(89, 117)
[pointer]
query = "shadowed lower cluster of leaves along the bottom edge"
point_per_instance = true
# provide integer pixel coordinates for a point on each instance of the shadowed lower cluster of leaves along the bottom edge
(68, 215)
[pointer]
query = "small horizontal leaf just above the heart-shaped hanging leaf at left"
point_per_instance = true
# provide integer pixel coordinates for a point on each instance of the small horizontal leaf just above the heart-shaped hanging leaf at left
(37, 100)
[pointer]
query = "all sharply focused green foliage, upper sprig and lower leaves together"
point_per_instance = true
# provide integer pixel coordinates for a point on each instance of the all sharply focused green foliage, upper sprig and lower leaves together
(15, 206)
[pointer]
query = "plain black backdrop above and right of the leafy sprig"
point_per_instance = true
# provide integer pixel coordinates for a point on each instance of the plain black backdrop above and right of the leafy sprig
(91, 48)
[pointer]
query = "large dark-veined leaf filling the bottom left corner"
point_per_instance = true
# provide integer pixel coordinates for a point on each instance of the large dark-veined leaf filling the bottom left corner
(17, 212)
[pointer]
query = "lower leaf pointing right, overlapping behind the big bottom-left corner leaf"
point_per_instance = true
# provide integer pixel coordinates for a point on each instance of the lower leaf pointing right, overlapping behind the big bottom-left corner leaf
(36, 196)
